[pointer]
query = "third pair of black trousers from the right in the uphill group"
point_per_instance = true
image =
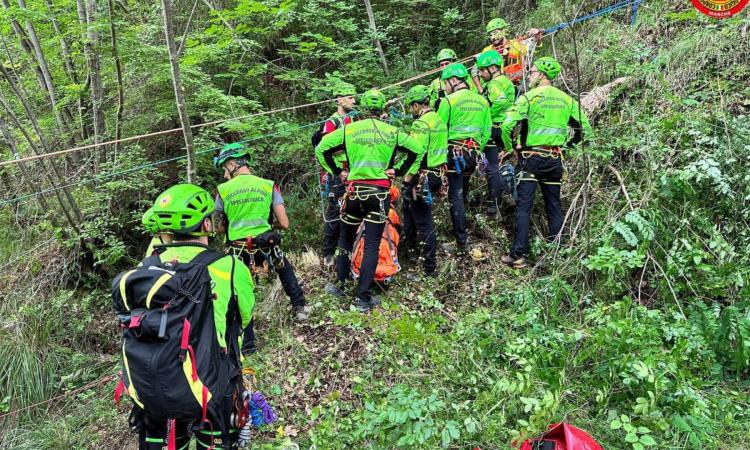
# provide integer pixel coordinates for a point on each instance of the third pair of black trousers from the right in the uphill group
(458, 189)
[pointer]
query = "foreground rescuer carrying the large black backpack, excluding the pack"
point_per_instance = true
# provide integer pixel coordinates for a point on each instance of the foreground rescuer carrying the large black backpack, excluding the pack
(184, 210)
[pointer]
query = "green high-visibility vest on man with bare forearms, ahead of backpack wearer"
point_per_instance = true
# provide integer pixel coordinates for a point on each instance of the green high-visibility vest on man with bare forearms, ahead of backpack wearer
(247, 205)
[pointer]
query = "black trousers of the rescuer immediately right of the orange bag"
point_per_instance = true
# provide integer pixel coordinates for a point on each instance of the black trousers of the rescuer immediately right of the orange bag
(419, 226)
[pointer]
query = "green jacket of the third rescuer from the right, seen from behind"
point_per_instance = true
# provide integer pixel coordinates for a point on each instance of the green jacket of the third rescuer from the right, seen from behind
(467, 116)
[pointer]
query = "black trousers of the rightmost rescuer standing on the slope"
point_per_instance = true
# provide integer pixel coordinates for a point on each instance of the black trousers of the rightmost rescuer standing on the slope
(547, 172)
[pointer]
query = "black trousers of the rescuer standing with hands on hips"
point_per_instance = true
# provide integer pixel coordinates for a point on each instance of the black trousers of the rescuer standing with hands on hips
(370, 205)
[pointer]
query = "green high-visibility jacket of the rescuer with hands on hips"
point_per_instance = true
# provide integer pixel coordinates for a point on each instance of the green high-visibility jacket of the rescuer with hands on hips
(370, 146)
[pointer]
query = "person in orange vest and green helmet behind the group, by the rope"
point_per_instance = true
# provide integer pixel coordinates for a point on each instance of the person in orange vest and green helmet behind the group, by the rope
(513, 51)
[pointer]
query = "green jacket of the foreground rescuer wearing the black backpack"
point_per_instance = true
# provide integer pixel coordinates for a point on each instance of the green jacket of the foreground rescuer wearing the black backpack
(222, 277)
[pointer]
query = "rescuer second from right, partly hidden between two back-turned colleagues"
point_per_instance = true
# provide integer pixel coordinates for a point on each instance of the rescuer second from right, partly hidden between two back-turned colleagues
(500, 93)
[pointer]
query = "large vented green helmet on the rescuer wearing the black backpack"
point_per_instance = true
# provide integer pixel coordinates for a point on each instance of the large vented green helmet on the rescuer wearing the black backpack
(181, 208)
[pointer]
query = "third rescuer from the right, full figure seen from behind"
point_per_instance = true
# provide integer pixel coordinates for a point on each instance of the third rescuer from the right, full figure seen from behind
(467, 117)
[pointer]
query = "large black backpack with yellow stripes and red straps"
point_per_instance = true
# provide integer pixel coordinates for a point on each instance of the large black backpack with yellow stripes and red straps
(173, 366)
